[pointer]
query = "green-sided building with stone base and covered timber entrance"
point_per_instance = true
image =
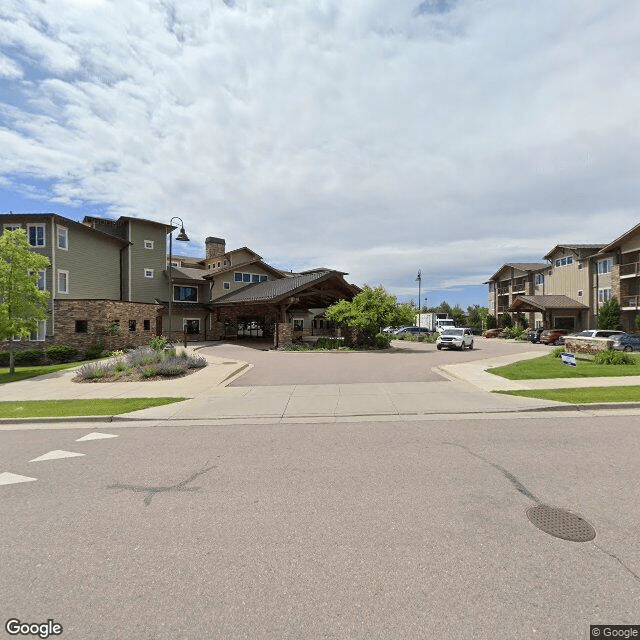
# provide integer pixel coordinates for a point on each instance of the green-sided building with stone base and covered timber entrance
(109, 280)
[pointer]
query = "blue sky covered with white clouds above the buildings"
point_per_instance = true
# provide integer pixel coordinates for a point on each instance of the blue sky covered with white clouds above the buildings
(377, 138)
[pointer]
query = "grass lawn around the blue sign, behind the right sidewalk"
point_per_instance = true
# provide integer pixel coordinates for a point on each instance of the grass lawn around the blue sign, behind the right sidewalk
(550, 367)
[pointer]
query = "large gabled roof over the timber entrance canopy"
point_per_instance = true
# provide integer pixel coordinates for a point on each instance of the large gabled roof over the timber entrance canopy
(271, 291)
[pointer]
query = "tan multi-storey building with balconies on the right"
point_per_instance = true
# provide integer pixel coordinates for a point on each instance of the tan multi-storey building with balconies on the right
(567, 290)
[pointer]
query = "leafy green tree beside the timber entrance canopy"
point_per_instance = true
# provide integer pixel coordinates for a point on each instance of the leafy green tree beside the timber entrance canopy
(370, 311)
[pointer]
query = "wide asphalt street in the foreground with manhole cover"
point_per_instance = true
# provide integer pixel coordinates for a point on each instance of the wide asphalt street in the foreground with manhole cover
(354, 530)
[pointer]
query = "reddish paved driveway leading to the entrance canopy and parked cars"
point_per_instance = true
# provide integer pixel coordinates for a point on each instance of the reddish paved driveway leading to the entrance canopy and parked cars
(406, 362)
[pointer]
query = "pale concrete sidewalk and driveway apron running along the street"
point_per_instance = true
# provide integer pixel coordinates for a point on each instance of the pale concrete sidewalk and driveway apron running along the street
(466, 392)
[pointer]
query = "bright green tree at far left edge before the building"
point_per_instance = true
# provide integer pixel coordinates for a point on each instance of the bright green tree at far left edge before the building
(22, 304)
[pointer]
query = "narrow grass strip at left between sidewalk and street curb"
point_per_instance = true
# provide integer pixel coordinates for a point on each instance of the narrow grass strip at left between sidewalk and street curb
(63, 408)
